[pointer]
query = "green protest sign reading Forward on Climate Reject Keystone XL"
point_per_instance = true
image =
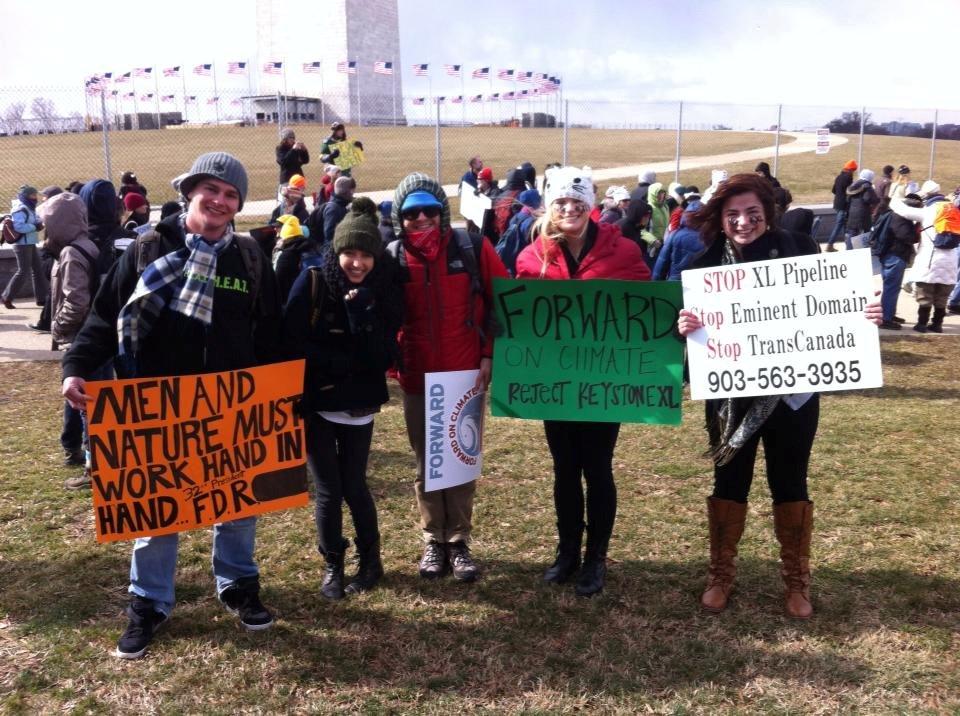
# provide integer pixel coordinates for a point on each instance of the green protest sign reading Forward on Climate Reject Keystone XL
(597, 351)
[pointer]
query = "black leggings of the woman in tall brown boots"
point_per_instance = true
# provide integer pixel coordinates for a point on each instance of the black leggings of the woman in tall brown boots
(787, 441)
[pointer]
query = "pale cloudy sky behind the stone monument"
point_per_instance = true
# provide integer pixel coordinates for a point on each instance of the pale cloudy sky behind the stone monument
(816, 52)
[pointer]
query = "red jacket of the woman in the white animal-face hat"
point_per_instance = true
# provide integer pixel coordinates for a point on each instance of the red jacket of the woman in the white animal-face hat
(611, 256)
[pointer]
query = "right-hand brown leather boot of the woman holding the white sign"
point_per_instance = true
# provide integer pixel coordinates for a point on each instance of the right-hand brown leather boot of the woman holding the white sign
(793, 523)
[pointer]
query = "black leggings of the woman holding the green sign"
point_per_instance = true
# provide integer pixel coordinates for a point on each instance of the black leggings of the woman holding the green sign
(584, 449)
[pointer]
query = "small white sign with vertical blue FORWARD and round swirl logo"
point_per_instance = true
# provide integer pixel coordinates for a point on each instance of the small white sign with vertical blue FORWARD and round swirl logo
(453, 444)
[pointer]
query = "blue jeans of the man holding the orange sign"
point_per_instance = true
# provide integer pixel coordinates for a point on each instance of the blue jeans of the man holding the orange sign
(154, 561)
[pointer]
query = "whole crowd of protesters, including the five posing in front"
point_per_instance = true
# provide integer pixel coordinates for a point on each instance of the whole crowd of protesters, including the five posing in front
(363, 292)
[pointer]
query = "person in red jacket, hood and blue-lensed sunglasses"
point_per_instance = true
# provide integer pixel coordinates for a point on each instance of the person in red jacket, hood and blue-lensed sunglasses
(448, 304)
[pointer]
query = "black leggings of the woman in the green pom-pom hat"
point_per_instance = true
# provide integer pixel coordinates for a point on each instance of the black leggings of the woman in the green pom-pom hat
(337, 455)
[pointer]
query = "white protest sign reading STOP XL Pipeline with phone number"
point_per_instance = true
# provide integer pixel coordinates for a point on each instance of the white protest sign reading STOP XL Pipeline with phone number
(782, 326)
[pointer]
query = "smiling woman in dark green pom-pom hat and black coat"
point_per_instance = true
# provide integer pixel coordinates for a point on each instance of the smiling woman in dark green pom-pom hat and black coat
(348, 346)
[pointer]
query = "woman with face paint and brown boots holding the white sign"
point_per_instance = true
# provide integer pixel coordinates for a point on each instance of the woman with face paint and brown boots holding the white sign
(737, 226)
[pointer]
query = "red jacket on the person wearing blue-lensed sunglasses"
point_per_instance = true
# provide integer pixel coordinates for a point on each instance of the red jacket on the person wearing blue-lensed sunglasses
(443, 315)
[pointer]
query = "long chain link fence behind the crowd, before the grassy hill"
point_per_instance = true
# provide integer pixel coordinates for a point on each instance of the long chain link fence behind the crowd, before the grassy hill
(54, 135)
